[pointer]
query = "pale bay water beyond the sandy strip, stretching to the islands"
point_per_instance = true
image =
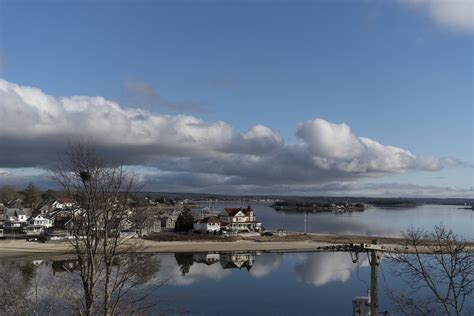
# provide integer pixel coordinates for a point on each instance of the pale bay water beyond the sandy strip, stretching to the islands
(375, 221)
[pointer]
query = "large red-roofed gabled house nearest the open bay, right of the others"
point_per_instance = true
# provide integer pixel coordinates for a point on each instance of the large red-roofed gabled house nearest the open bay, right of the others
(240, 220)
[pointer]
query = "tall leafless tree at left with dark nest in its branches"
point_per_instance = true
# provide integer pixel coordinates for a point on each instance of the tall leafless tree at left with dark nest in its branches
(102, 191)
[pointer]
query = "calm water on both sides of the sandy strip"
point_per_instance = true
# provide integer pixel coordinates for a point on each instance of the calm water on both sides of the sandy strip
(252, 283)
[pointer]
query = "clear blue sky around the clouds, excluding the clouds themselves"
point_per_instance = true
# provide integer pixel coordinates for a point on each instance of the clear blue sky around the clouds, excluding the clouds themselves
(396, 72)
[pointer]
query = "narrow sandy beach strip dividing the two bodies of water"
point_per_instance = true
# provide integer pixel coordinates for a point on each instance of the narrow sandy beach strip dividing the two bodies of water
(22, 250)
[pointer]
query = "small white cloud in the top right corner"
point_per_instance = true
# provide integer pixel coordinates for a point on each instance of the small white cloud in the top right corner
(457, 15)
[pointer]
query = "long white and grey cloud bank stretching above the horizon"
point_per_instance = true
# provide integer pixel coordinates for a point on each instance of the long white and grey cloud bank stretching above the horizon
(183, 150)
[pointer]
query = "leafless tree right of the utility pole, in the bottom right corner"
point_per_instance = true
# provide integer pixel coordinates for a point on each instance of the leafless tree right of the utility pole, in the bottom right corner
(439, 273)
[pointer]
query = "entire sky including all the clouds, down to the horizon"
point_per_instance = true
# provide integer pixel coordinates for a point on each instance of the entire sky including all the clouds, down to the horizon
(244, 97)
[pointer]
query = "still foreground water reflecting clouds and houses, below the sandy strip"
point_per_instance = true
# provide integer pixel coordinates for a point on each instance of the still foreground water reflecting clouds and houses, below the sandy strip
(232, 283)
